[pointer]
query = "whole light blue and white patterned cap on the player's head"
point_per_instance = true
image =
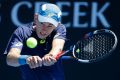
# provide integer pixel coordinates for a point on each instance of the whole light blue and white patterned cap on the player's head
(50, 13)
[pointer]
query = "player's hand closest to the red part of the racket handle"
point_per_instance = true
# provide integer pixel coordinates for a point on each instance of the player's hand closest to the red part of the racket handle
(48, 60)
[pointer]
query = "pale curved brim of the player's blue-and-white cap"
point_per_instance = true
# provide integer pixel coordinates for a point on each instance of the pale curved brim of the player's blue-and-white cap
(46, 19)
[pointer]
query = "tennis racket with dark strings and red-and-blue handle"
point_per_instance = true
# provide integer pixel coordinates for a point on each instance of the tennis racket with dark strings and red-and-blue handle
(94, 47)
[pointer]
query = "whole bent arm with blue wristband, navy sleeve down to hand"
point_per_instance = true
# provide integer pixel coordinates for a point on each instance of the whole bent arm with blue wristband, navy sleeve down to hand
(14, 57)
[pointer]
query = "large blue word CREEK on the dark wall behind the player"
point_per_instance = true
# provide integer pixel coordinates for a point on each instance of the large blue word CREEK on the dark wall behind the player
(79, 18)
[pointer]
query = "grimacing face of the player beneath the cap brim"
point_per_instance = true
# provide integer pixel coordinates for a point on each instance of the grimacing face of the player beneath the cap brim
(43, 29)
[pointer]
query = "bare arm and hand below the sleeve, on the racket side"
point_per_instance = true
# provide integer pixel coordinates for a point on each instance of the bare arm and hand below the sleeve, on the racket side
(50, 58)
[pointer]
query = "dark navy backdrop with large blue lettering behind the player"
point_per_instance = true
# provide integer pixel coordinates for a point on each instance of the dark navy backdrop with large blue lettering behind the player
(80, 17)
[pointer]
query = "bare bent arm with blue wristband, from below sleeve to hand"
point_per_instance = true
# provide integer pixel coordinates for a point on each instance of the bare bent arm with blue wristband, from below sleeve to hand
(15, 59)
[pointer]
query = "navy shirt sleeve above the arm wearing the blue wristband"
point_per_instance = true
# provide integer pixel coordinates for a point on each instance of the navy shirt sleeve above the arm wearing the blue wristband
(16, 40)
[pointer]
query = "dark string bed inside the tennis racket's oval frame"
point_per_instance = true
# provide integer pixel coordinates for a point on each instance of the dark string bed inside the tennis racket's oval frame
(94, 47)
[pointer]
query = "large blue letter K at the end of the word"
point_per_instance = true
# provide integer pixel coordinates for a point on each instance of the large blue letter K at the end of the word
(99, 15)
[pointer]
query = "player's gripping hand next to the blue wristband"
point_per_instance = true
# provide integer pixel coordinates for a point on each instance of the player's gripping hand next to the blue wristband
(34, 61)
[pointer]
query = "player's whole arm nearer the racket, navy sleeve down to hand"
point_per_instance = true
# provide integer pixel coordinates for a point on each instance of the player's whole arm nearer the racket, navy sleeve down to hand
(57, 46)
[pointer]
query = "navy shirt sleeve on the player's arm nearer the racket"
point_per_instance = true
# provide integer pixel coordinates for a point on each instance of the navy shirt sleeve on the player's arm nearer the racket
(60, 32)
